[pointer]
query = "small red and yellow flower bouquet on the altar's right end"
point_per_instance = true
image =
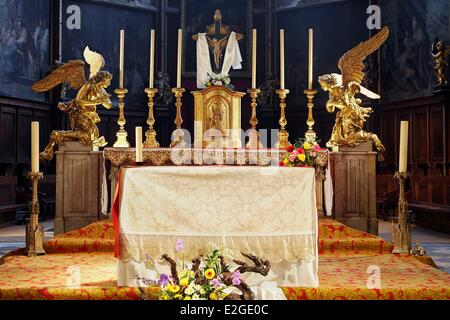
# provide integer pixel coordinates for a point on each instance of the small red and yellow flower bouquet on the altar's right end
(302, 154)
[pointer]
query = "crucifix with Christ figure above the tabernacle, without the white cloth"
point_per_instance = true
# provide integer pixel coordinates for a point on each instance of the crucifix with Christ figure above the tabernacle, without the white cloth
(217, 35)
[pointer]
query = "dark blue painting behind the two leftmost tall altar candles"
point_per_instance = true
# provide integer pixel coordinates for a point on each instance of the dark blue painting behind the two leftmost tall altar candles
(103, 36)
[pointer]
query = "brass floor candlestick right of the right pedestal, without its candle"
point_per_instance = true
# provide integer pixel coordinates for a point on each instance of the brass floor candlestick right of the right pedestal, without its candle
(401, 232)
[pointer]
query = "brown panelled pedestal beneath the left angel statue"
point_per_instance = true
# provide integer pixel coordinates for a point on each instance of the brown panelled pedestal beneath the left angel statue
(79, 173)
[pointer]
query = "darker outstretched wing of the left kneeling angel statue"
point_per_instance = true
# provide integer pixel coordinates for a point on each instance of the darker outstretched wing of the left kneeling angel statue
(71, 73)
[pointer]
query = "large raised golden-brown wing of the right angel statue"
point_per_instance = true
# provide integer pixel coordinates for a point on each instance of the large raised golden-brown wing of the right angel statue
(352, 63)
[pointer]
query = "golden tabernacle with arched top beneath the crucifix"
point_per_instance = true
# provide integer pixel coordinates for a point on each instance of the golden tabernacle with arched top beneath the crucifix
(217, 116)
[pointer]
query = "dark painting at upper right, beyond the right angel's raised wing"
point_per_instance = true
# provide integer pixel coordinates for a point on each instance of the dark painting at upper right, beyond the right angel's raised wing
(407, 69)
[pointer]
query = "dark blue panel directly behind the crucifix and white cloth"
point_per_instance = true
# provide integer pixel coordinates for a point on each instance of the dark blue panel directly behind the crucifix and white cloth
(196, 15)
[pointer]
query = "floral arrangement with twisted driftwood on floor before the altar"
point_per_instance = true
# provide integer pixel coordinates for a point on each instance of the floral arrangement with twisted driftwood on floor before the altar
(208, 278)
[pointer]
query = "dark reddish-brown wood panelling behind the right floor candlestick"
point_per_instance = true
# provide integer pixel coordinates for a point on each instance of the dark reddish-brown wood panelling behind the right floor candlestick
(429, 162)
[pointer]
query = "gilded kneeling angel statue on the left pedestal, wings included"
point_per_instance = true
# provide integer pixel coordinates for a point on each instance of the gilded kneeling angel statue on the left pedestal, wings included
(82, 110)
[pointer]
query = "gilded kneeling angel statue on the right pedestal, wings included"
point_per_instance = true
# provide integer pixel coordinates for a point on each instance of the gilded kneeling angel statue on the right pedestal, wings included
(343, 89)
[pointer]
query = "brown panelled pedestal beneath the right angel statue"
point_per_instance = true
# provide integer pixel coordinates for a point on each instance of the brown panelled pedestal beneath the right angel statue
(354, 183)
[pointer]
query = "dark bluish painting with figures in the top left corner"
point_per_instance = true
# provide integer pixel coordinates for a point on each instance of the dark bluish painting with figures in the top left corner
(24, 47)
